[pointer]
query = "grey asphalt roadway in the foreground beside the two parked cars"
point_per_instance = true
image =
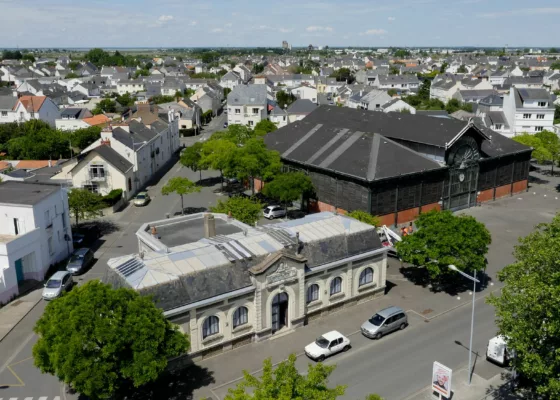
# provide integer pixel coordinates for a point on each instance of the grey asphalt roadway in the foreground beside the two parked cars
(400, 364)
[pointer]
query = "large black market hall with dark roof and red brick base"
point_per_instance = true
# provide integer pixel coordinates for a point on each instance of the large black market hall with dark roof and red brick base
(396, 165)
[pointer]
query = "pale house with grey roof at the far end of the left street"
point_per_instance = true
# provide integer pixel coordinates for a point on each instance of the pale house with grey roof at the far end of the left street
(247, 105)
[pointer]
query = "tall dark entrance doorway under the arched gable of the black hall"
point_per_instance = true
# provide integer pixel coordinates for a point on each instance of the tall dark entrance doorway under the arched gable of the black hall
(460, 187)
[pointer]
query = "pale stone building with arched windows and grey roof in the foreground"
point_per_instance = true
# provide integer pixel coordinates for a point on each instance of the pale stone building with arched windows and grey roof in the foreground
(227, 284)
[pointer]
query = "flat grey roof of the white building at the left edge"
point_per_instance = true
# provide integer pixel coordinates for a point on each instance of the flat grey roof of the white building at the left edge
(14, 192)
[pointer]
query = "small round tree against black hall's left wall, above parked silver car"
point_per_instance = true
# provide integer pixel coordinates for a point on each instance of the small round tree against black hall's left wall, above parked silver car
(289, 187)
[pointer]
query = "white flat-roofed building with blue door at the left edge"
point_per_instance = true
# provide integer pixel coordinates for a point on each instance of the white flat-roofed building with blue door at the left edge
(34, 233)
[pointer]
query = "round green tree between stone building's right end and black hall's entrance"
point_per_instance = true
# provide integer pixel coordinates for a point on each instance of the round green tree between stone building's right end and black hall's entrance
(444, 239)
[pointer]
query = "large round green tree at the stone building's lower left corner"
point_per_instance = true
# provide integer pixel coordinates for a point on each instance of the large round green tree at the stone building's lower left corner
(99, 340)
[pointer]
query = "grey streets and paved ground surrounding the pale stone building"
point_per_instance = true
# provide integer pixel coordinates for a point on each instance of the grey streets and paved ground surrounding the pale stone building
(396, 367)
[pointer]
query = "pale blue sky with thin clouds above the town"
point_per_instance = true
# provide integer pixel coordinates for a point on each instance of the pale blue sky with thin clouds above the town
(192, 23)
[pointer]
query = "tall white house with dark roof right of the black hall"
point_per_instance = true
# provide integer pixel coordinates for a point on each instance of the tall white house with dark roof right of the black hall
(529, 110)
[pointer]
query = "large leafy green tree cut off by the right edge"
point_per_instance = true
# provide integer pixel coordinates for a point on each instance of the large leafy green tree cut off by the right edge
(527, 308)
